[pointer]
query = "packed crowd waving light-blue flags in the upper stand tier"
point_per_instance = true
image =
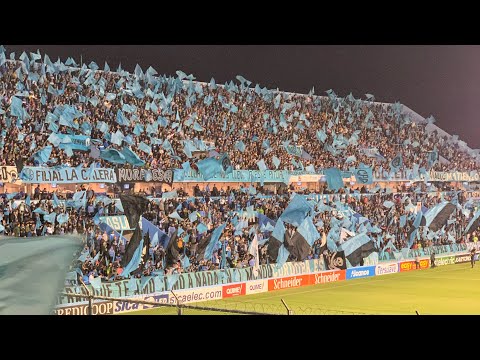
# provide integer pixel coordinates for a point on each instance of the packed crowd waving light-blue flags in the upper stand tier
(159, 117)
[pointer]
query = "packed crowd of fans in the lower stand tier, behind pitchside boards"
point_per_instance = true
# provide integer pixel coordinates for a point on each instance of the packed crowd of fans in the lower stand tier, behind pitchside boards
(106, 249)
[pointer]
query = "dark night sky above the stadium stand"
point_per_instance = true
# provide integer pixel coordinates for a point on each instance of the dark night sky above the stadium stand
(436, 80)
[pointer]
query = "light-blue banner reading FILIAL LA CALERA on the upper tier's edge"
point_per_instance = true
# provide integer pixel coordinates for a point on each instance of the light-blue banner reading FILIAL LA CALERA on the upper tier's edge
(66, 175)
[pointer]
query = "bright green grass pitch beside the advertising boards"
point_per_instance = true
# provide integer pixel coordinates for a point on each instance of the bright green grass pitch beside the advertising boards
(451, 289)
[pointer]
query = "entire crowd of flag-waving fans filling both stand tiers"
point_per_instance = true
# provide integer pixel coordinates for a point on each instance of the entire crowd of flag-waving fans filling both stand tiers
(248, 123)
